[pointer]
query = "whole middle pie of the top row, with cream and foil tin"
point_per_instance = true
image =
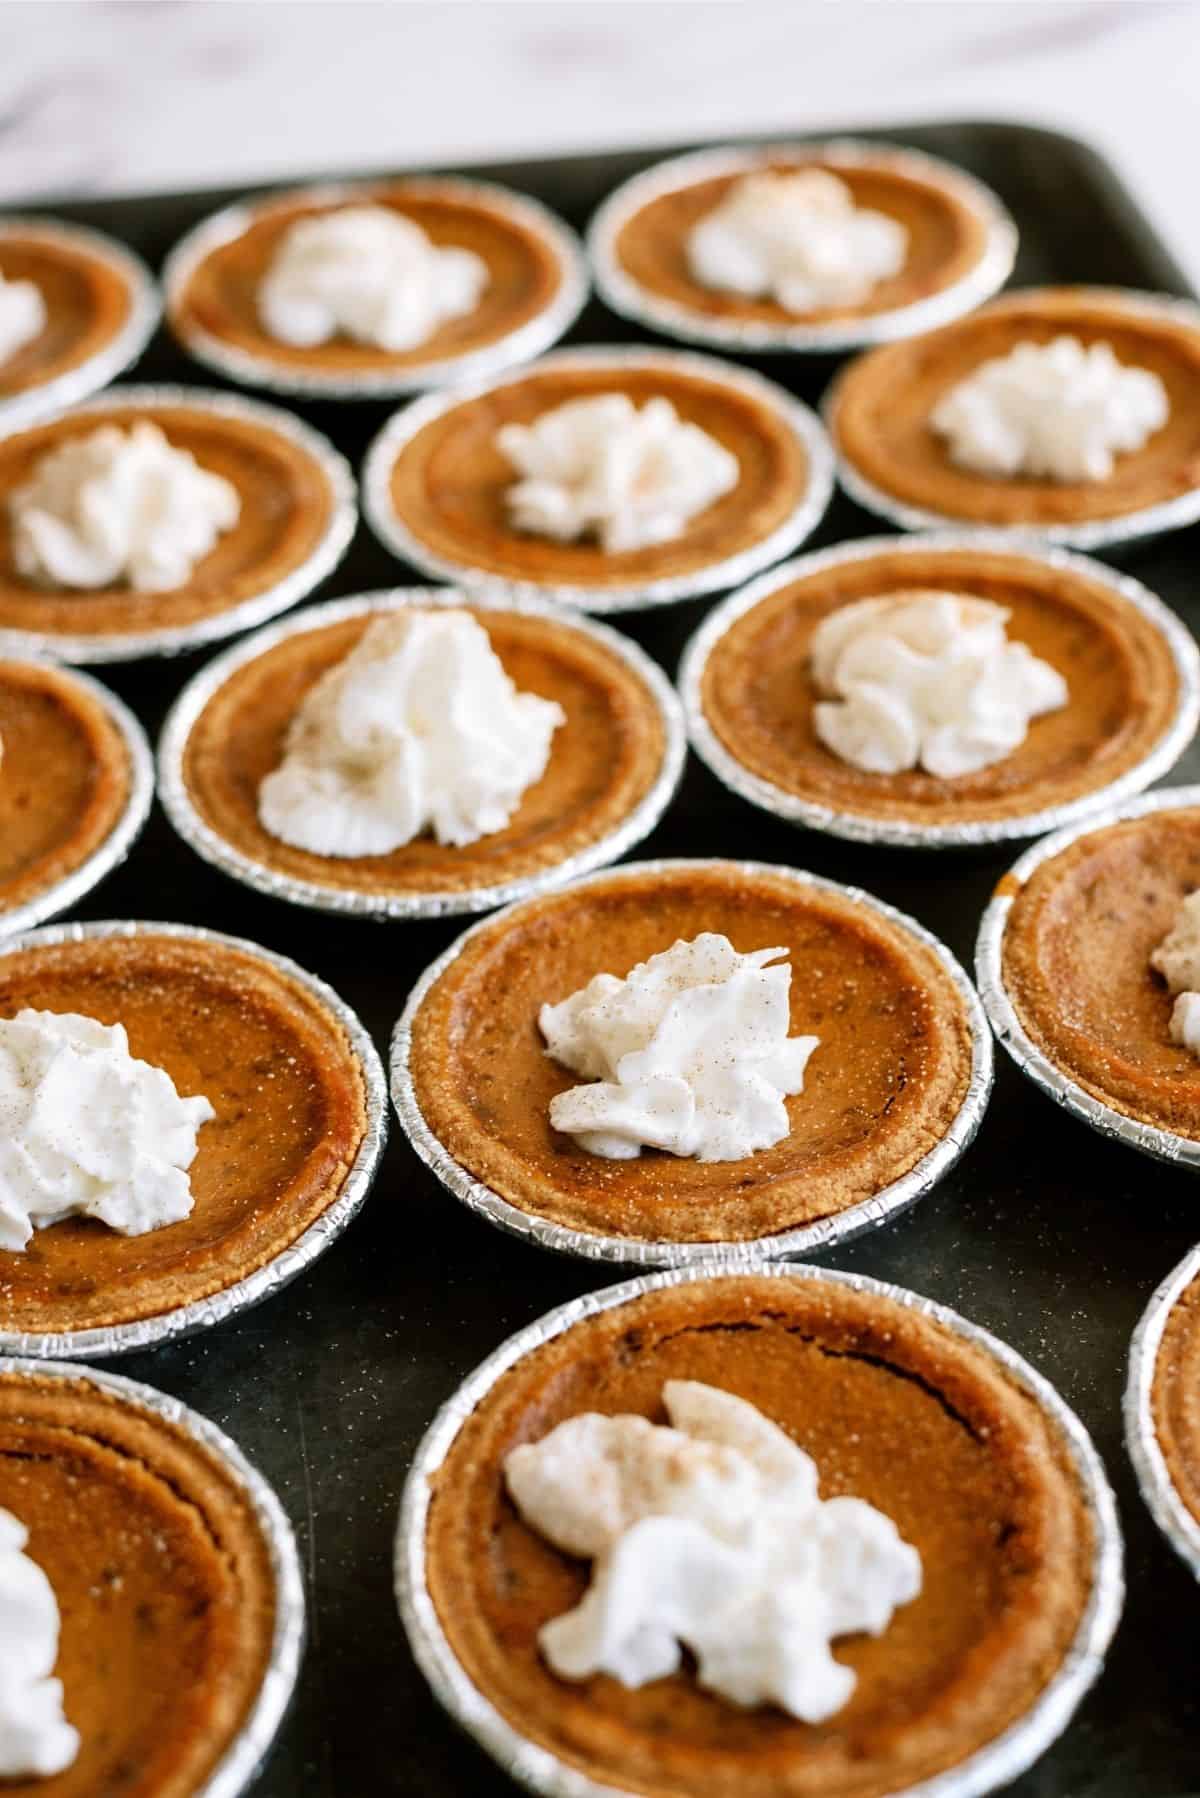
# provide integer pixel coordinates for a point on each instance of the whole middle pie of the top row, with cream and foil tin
(517, 281)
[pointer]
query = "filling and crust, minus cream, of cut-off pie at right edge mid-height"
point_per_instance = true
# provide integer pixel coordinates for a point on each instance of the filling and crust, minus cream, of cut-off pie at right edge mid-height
(1077, 965)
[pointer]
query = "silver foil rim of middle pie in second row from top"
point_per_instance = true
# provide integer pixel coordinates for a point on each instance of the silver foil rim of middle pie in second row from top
(629, 596)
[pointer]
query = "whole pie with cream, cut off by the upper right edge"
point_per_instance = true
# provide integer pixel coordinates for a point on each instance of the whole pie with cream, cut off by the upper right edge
(1104, 486)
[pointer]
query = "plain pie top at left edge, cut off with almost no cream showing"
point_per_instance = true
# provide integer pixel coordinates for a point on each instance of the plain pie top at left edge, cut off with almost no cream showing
(64, 779)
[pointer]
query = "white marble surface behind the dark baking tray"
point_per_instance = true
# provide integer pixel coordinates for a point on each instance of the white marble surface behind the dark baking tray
(125, 98)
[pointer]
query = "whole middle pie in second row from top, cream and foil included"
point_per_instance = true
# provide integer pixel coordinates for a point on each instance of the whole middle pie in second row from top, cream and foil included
(737, 479)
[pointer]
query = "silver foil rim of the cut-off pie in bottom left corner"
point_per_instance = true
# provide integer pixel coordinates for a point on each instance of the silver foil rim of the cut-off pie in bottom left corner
(244, 1758)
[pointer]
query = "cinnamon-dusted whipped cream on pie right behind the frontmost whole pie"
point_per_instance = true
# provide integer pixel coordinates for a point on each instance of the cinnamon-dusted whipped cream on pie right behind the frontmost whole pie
(690, 1055)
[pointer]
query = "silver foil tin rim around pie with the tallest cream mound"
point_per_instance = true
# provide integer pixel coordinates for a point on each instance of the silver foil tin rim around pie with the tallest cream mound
(224, 855)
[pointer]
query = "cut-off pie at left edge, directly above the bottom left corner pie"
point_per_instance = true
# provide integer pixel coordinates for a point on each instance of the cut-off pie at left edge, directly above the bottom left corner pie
(282, 1090)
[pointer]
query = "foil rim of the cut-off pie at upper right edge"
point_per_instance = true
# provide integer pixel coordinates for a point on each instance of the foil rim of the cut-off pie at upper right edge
(1082, 535)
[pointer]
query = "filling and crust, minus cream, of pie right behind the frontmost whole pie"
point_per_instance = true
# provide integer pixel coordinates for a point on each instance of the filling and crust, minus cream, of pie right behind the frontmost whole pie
(881, 1092)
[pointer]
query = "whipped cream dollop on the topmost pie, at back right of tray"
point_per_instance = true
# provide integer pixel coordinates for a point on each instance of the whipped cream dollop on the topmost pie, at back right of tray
(798, 240)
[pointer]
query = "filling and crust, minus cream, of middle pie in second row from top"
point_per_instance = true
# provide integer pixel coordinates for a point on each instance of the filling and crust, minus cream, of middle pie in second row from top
(449, 483)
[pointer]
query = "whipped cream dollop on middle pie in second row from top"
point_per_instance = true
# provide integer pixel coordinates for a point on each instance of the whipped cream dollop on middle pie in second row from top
(604, 468)
